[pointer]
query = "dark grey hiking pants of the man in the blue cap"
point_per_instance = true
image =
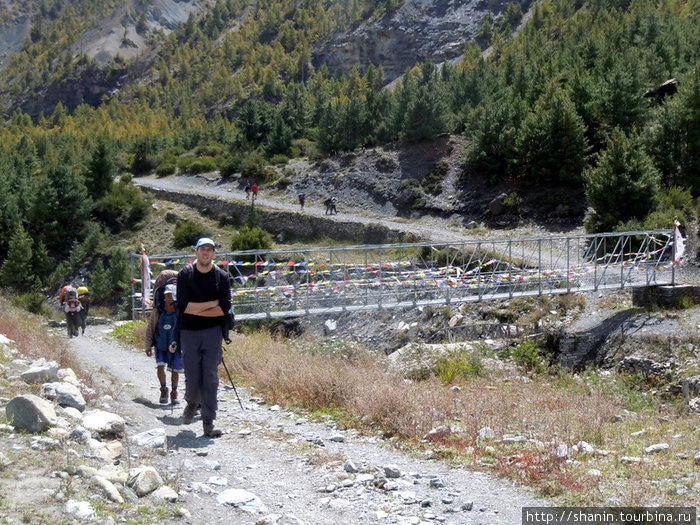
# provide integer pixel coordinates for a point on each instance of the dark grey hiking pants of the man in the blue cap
(201, 355)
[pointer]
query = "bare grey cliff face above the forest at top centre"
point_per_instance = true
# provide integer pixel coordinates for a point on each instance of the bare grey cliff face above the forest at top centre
(420, 30)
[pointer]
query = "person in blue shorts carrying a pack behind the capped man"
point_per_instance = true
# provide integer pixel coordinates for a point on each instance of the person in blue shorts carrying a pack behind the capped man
(160, 334)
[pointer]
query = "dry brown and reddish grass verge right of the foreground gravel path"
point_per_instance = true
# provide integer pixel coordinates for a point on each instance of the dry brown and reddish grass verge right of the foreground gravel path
(548, 409)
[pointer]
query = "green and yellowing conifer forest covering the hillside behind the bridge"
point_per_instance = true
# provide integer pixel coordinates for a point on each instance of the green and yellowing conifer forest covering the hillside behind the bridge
(560, 104)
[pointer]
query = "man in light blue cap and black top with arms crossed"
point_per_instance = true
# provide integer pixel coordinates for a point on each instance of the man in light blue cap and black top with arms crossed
(204, 298)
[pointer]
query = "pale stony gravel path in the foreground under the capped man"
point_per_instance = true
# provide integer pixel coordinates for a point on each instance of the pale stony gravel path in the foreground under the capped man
(273, 466)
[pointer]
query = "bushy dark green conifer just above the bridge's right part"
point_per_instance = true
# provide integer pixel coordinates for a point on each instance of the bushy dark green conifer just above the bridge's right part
(624, 185)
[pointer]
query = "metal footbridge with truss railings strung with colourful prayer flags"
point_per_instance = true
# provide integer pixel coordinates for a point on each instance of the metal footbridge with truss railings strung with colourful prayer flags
(326, 280)
